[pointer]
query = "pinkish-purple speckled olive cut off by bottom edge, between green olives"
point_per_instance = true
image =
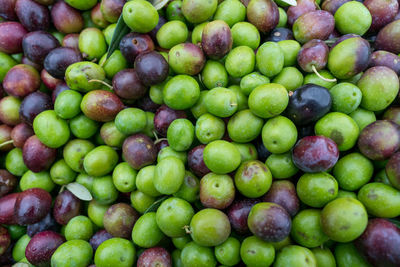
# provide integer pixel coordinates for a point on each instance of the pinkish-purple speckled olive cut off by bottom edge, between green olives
(156, 256)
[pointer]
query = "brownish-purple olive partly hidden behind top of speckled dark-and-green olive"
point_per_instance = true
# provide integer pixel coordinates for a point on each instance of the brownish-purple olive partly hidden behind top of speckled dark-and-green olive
(284, 194)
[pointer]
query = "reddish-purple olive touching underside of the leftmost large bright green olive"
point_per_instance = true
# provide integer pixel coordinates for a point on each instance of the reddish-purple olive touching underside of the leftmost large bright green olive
(37, 156)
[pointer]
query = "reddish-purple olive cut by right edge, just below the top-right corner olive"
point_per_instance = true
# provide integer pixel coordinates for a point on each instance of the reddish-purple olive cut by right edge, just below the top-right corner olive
(387, 38)
